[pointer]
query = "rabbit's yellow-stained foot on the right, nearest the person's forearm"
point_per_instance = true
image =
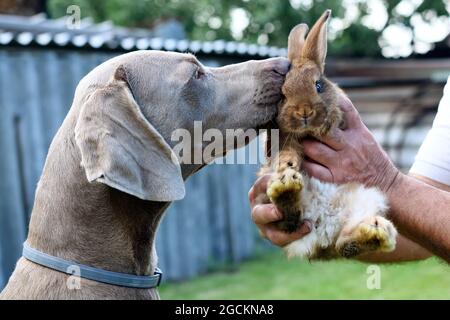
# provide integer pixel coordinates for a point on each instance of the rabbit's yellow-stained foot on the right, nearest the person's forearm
(372, 234)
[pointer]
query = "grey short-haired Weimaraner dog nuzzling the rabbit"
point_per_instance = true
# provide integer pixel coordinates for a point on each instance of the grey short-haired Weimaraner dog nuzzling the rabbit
(110, 174)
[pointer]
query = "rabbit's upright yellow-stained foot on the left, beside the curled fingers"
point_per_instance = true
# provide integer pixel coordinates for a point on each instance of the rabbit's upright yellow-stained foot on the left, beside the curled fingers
(284, 191)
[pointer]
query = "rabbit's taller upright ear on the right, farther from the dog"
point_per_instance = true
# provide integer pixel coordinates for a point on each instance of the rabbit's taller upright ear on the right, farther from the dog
(315, 47)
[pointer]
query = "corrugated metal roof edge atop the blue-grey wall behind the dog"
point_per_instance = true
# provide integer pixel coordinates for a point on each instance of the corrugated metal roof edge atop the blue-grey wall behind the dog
(41, 31)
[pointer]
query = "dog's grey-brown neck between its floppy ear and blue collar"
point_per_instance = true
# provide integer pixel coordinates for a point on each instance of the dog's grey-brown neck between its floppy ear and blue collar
(91, 223)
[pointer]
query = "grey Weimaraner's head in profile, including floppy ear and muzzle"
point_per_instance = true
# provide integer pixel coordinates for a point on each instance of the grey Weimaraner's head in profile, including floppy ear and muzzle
(130, 106)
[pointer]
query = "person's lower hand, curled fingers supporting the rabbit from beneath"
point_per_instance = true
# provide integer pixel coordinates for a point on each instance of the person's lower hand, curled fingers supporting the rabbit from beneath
(265, 214)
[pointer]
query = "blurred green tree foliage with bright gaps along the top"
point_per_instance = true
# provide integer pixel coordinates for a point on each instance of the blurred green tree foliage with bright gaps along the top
(262, 21)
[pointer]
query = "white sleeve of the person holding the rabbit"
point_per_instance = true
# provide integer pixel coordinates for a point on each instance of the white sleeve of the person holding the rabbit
(433, 159)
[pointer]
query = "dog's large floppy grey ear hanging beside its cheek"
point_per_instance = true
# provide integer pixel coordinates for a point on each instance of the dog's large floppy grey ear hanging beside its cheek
(119, 147)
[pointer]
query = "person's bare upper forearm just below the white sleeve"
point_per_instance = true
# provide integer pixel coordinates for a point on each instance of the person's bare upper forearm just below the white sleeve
(421, 213)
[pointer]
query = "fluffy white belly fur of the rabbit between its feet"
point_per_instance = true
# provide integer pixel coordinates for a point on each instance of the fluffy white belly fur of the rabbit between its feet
(330, 208)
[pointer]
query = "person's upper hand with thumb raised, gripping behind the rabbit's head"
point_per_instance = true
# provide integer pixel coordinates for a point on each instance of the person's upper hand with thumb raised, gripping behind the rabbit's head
(350, 155)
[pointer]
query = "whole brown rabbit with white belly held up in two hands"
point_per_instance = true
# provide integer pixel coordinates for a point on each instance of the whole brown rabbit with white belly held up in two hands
(347, 220)
